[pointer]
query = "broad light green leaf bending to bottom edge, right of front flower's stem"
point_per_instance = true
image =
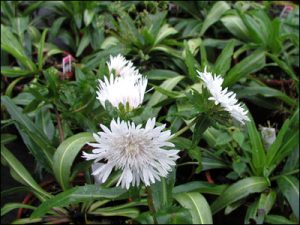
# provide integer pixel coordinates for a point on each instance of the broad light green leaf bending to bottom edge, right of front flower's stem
(197, 205)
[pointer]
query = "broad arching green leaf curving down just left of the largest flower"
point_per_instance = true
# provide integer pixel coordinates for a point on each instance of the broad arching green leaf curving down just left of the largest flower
(65, 155)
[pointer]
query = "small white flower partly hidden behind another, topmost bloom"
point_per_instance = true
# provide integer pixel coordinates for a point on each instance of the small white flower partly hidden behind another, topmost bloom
(121, 66)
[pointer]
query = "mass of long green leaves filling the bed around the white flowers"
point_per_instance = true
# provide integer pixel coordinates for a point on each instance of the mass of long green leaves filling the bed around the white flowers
(55, 114)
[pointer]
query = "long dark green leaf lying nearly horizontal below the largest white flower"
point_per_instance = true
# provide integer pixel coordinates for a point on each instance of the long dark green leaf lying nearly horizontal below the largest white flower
(79, 194)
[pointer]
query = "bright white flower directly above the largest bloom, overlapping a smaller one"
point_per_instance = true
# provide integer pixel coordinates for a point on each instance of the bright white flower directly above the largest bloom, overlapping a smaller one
(122, 89)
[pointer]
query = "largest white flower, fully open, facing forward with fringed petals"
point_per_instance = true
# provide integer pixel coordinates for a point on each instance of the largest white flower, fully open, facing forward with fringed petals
(138, 152)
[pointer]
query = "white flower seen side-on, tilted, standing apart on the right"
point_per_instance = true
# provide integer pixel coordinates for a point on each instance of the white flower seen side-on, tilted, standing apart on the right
(227, 99)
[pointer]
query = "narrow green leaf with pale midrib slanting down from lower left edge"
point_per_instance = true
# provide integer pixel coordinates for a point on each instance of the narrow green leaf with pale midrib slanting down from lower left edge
(22, 173)
